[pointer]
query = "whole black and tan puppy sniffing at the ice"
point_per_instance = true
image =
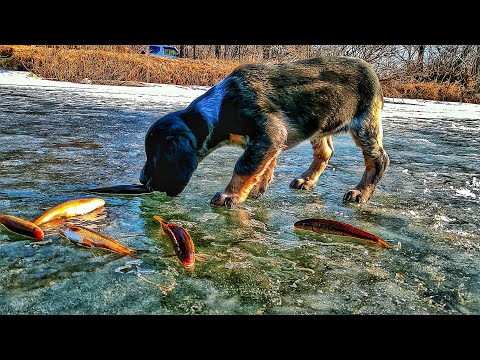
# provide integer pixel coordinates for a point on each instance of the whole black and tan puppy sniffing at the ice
(267, 109)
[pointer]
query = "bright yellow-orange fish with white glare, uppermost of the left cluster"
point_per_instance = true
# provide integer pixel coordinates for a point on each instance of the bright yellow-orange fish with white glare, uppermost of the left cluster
(70, 208)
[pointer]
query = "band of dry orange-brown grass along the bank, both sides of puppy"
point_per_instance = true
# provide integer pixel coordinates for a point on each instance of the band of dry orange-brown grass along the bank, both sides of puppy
(122, 66)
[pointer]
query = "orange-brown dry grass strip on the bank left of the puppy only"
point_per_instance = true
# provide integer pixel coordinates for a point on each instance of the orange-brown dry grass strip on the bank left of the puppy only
(119, 67)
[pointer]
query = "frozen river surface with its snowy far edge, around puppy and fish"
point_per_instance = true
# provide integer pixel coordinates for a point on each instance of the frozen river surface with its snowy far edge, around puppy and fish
(59, 138)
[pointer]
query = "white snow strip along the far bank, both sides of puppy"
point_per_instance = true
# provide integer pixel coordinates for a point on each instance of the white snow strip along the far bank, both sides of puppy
(175, 93)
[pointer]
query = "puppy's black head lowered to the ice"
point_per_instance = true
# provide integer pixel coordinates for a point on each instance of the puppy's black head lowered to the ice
(171, 150)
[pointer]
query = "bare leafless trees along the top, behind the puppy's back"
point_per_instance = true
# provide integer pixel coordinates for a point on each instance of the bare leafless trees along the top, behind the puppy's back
(419, 63)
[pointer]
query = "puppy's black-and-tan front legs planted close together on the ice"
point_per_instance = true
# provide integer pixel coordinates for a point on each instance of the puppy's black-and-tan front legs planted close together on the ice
(256, 163)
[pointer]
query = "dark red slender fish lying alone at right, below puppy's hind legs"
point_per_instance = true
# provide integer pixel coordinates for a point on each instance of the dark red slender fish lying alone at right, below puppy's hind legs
(325, 226)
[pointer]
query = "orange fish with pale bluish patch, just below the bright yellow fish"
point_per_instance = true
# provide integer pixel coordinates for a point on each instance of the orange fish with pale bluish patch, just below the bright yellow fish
(89, 238)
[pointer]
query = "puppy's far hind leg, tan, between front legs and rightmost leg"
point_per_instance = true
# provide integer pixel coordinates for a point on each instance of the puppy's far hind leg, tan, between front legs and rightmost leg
(322, 152)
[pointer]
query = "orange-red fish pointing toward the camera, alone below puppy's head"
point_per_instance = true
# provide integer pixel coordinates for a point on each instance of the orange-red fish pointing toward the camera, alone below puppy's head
(181, 240)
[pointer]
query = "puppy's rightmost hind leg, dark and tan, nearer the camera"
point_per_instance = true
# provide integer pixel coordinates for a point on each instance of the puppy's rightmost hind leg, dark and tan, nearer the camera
(367, 134)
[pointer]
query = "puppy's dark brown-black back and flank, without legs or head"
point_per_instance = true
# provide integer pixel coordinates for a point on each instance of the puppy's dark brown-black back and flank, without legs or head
(319, 94)
